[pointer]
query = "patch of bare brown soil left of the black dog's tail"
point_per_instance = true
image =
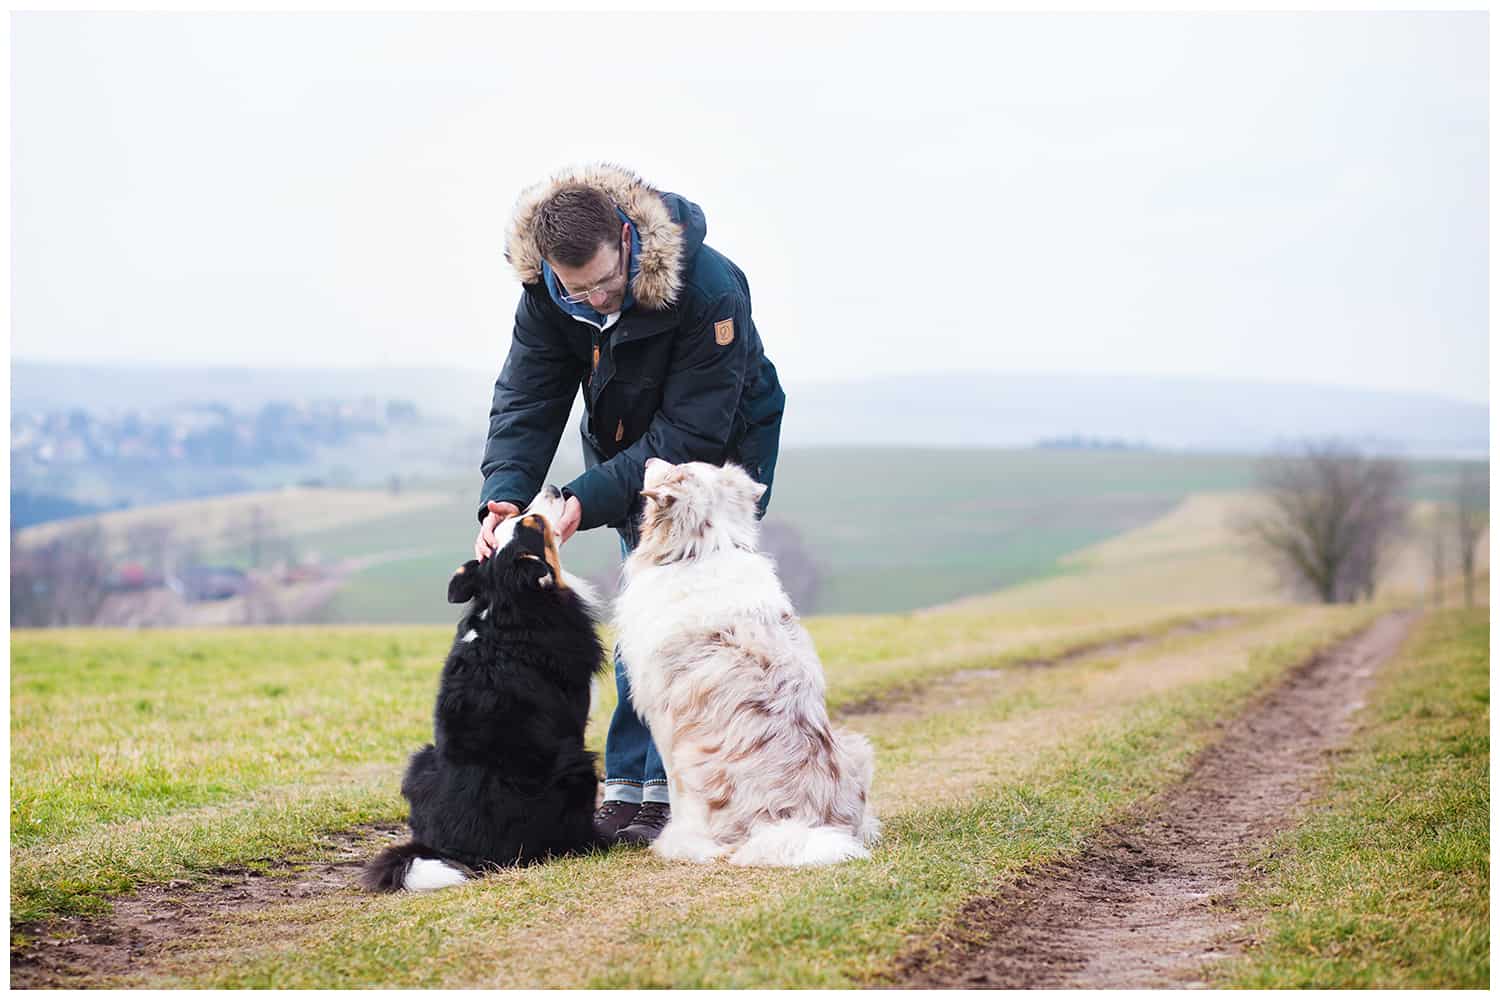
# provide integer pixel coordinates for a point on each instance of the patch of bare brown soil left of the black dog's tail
(88, 951)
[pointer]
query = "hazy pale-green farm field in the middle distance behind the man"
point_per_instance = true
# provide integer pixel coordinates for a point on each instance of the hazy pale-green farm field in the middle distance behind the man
(994, 521)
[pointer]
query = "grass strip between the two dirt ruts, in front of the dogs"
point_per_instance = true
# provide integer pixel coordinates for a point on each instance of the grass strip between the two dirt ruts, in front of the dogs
(686, 926)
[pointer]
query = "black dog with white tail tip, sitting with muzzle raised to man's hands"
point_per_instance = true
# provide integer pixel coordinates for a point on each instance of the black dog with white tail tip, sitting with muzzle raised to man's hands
(508, 780)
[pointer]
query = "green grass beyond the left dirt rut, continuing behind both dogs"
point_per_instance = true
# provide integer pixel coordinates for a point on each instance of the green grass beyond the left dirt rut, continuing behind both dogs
(125, 741)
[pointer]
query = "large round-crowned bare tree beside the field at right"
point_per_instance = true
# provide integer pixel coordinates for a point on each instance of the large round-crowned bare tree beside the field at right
(1330, 518)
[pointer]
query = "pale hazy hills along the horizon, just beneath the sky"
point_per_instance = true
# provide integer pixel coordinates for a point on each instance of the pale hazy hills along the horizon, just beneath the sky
(974, 410)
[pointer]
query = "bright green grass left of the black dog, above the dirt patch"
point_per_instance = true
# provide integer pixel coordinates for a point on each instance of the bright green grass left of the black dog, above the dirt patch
(115, 726)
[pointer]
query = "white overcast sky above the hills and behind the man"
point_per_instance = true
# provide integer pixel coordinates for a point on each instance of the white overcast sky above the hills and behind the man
(1286, 197)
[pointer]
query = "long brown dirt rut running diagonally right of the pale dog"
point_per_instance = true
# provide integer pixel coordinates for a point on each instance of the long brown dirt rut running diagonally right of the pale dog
(1150, 902)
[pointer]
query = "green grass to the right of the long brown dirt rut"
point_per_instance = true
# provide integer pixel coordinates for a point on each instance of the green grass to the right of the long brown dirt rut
(1388, 881)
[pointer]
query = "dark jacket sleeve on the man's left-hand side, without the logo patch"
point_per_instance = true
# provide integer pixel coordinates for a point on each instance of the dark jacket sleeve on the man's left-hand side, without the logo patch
(533, 398)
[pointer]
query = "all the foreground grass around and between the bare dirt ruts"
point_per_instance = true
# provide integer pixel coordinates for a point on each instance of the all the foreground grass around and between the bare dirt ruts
(163, 758)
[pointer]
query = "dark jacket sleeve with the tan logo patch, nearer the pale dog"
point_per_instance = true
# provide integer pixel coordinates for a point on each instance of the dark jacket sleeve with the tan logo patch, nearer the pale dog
(700, 401)
